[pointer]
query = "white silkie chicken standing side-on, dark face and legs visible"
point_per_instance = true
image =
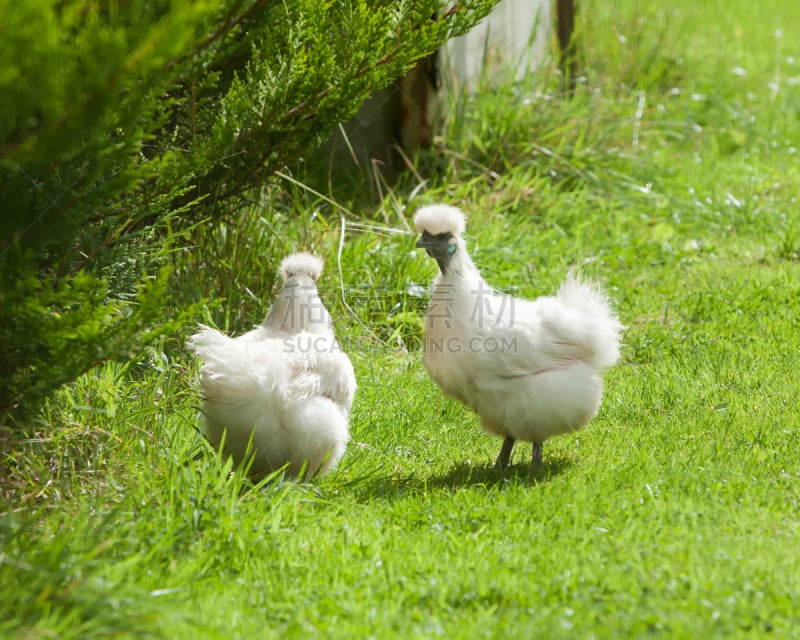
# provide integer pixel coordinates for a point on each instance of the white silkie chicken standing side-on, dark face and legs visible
(529, 368)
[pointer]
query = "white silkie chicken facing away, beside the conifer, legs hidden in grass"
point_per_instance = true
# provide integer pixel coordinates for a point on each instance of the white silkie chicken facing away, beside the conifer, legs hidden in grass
(286, 384)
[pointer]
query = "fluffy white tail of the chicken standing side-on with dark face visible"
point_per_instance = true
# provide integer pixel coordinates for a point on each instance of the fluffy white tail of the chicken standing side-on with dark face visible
(601, 323)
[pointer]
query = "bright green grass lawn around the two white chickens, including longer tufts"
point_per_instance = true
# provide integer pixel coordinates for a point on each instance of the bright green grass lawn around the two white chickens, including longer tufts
(674, 514)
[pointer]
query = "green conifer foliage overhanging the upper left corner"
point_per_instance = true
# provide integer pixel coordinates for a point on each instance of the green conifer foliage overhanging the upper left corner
(120, 121)
